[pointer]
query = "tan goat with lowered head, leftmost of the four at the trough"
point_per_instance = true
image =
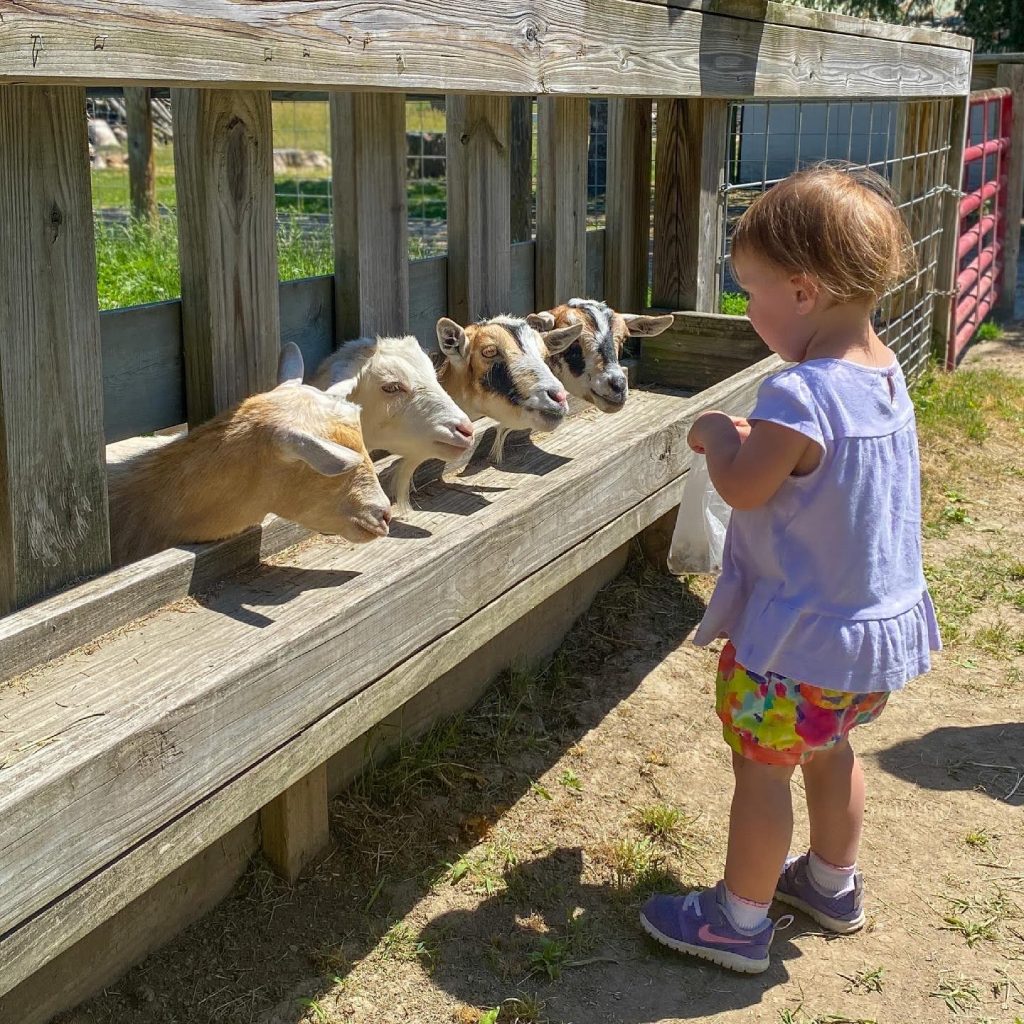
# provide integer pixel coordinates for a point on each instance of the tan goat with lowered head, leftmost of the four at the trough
(293, 451)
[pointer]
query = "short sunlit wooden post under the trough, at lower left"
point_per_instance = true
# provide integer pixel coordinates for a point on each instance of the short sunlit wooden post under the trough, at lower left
(295, 826)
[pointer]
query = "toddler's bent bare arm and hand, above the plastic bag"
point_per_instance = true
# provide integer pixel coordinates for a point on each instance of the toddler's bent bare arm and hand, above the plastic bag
(747, 474)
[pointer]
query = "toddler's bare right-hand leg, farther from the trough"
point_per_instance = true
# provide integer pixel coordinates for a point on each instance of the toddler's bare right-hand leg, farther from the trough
(834, 783)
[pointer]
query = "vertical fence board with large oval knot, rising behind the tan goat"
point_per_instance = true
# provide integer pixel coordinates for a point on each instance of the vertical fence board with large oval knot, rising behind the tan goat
(224, 158)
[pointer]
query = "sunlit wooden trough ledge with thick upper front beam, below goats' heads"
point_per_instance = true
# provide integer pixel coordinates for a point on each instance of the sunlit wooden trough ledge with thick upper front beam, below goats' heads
(283, 648)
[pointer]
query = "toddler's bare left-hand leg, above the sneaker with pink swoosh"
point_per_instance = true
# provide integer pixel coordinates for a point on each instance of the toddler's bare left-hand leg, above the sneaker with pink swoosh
(760, 829)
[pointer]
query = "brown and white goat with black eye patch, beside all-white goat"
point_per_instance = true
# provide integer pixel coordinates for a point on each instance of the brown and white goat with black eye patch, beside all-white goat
(498, 368)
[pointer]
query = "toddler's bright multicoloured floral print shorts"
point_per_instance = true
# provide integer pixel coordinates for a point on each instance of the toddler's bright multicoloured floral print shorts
(780, 721)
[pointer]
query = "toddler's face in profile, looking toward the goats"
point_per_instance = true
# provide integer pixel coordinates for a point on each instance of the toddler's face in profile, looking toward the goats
(780, 305)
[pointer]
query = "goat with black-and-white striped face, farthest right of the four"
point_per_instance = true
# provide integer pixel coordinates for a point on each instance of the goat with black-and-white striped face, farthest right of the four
(590, 369)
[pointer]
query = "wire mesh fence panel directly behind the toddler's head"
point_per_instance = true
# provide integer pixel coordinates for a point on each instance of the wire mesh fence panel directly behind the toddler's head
(907, 143)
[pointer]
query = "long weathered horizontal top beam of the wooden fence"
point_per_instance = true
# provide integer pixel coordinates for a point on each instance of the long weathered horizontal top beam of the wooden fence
(551, 47)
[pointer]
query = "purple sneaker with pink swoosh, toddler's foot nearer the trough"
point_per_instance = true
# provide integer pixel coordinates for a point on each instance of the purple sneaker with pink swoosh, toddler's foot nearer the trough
(698, 924)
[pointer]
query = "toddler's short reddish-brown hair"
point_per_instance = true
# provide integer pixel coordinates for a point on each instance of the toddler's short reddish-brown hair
(834, 223)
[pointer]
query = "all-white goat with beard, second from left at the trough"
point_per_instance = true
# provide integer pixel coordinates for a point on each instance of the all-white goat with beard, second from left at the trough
(405, 410)
